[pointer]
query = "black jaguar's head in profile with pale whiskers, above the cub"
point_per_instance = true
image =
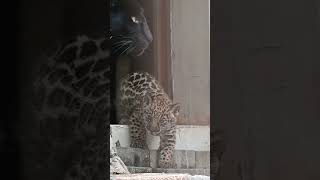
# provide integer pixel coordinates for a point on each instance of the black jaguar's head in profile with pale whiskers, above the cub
(130, 33)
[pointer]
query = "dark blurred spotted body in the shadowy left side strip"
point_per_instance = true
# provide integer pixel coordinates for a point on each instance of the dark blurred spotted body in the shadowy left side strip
(72, 104)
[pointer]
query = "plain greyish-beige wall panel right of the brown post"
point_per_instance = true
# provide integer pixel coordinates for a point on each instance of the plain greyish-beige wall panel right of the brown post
(191, 59)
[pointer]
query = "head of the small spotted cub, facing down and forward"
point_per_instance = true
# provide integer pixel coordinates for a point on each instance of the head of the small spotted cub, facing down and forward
(161, 115)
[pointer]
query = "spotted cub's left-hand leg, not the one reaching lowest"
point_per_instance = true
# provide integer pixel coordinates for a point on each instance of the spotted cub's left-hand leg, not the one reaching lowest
(137, 132)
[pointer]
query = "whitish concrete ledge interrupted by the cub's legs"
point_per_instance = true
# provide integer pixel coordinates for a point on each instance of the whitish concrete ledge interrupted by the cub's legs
(196, 138)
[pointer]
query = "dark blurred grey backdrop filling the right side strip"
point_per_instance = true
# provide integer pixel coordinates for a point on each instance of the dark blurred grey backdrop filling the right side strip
(266, 91)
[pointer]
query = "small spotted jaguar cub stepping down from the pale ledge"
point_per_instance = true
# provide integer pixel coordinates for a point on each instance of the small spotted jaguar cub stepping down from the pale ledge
(145, 106)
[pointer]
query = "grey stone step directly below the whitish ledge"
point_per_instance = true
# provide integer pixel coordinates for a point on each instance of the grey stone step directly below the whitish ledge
(184, 159)
